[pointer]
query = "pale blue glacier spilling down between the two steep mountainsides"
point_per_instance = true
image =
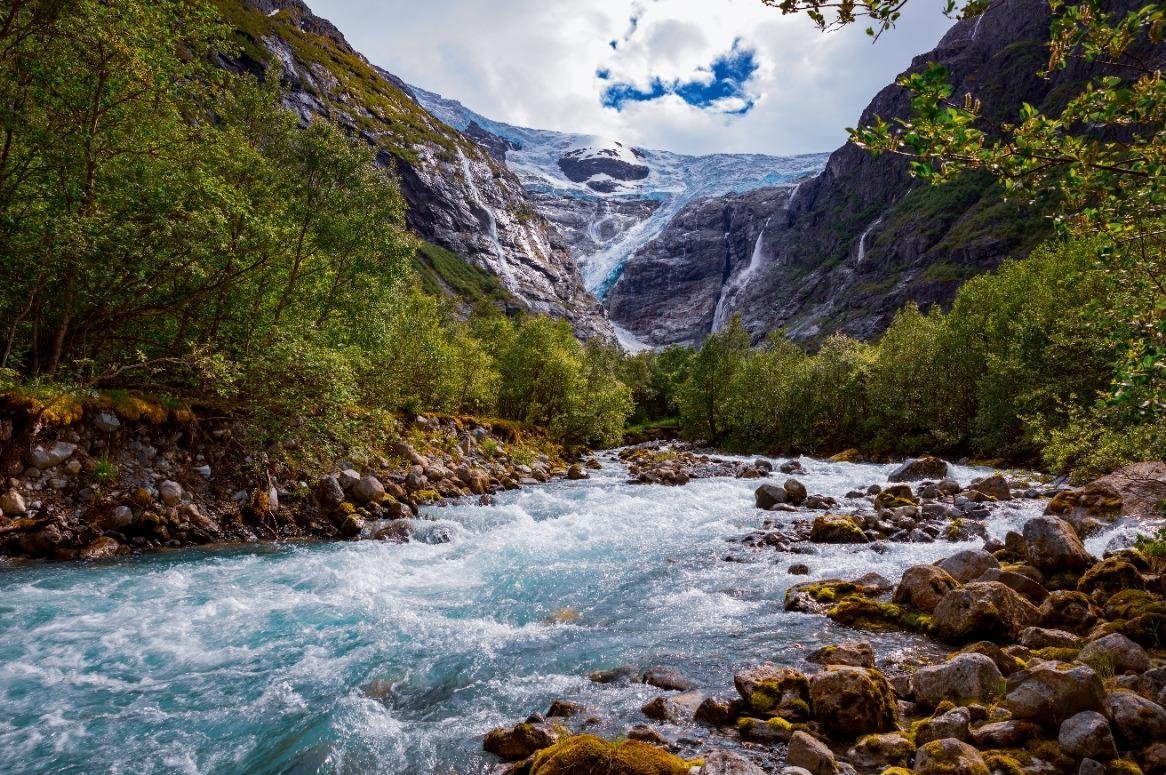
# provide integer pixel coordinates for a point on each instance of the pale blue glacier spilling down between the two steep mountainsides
(607, 199)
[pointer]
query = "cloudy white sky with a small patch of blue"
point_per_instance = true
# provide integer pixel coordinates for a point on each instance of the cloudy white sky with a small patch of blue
(690, 76)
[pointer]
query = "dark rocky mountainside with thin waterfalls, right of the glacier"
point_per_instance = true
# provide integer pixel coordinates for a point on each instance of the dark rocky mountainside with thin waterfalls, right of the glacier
(856, 243)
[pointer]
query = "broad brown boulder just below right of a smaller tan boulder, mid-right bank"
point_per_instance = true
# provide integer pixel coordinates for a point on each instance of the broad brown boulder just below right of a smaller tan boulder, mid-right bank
(982, 610)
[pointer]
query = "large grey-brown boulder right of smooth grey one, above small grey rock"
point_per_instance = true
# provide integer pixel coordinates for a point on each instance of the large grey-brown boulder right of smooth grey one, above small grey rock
(1051, 693)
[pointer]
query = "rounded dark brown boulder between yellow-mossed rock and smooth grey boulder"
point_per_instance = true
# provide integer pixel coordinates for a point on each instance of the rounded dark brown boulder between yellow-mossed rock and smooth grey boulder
(853, 701)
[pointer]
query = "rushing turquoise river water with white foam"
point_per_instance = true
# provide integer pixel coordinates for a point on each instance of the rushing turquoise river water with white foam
(369, 658)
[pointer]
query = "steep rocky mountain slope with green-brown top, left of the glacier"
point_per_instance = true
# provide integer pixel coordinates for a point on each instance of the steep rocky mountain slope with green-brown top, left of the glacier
(461, 199)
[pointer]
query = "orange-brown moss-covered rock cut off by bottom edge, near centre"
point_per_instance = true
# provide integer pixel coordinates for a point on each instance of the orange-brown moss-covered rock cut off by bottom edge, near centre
(586, 753)
